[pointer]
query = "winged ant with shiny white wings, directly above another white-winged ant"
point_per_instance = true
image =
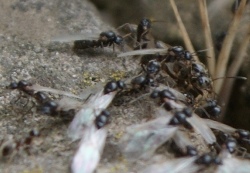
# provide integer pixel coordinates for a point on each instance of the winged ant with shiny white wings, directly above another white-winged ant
(92, 108)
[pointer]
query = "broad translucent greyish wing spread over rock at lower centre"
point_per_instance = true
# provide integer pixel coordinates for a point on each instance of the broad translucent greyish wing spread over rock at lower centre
(142, 140)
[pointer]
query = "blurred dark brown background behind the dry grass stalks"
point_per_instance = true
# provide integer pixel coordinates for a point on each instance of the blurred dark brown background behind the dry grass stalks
(221, 13)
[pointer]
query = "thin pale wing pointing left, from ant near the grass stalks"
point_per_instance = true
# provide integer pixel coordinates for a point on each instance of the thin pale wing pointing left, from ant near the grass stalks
(143, 52)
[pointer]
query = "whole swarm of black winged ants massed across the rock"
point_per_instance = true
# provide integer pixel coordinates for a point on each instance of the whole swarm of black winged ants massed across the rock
(179, 87)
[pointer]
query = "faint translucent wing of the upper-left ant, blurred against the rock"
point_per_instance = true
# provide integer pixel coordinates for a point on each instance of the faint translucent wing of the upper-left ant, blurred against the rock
(75, 37)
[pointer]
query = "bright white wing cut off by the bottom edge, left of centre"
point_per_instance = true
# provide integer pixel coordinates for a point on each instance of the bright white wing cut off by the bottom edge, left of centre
(90, 150)
